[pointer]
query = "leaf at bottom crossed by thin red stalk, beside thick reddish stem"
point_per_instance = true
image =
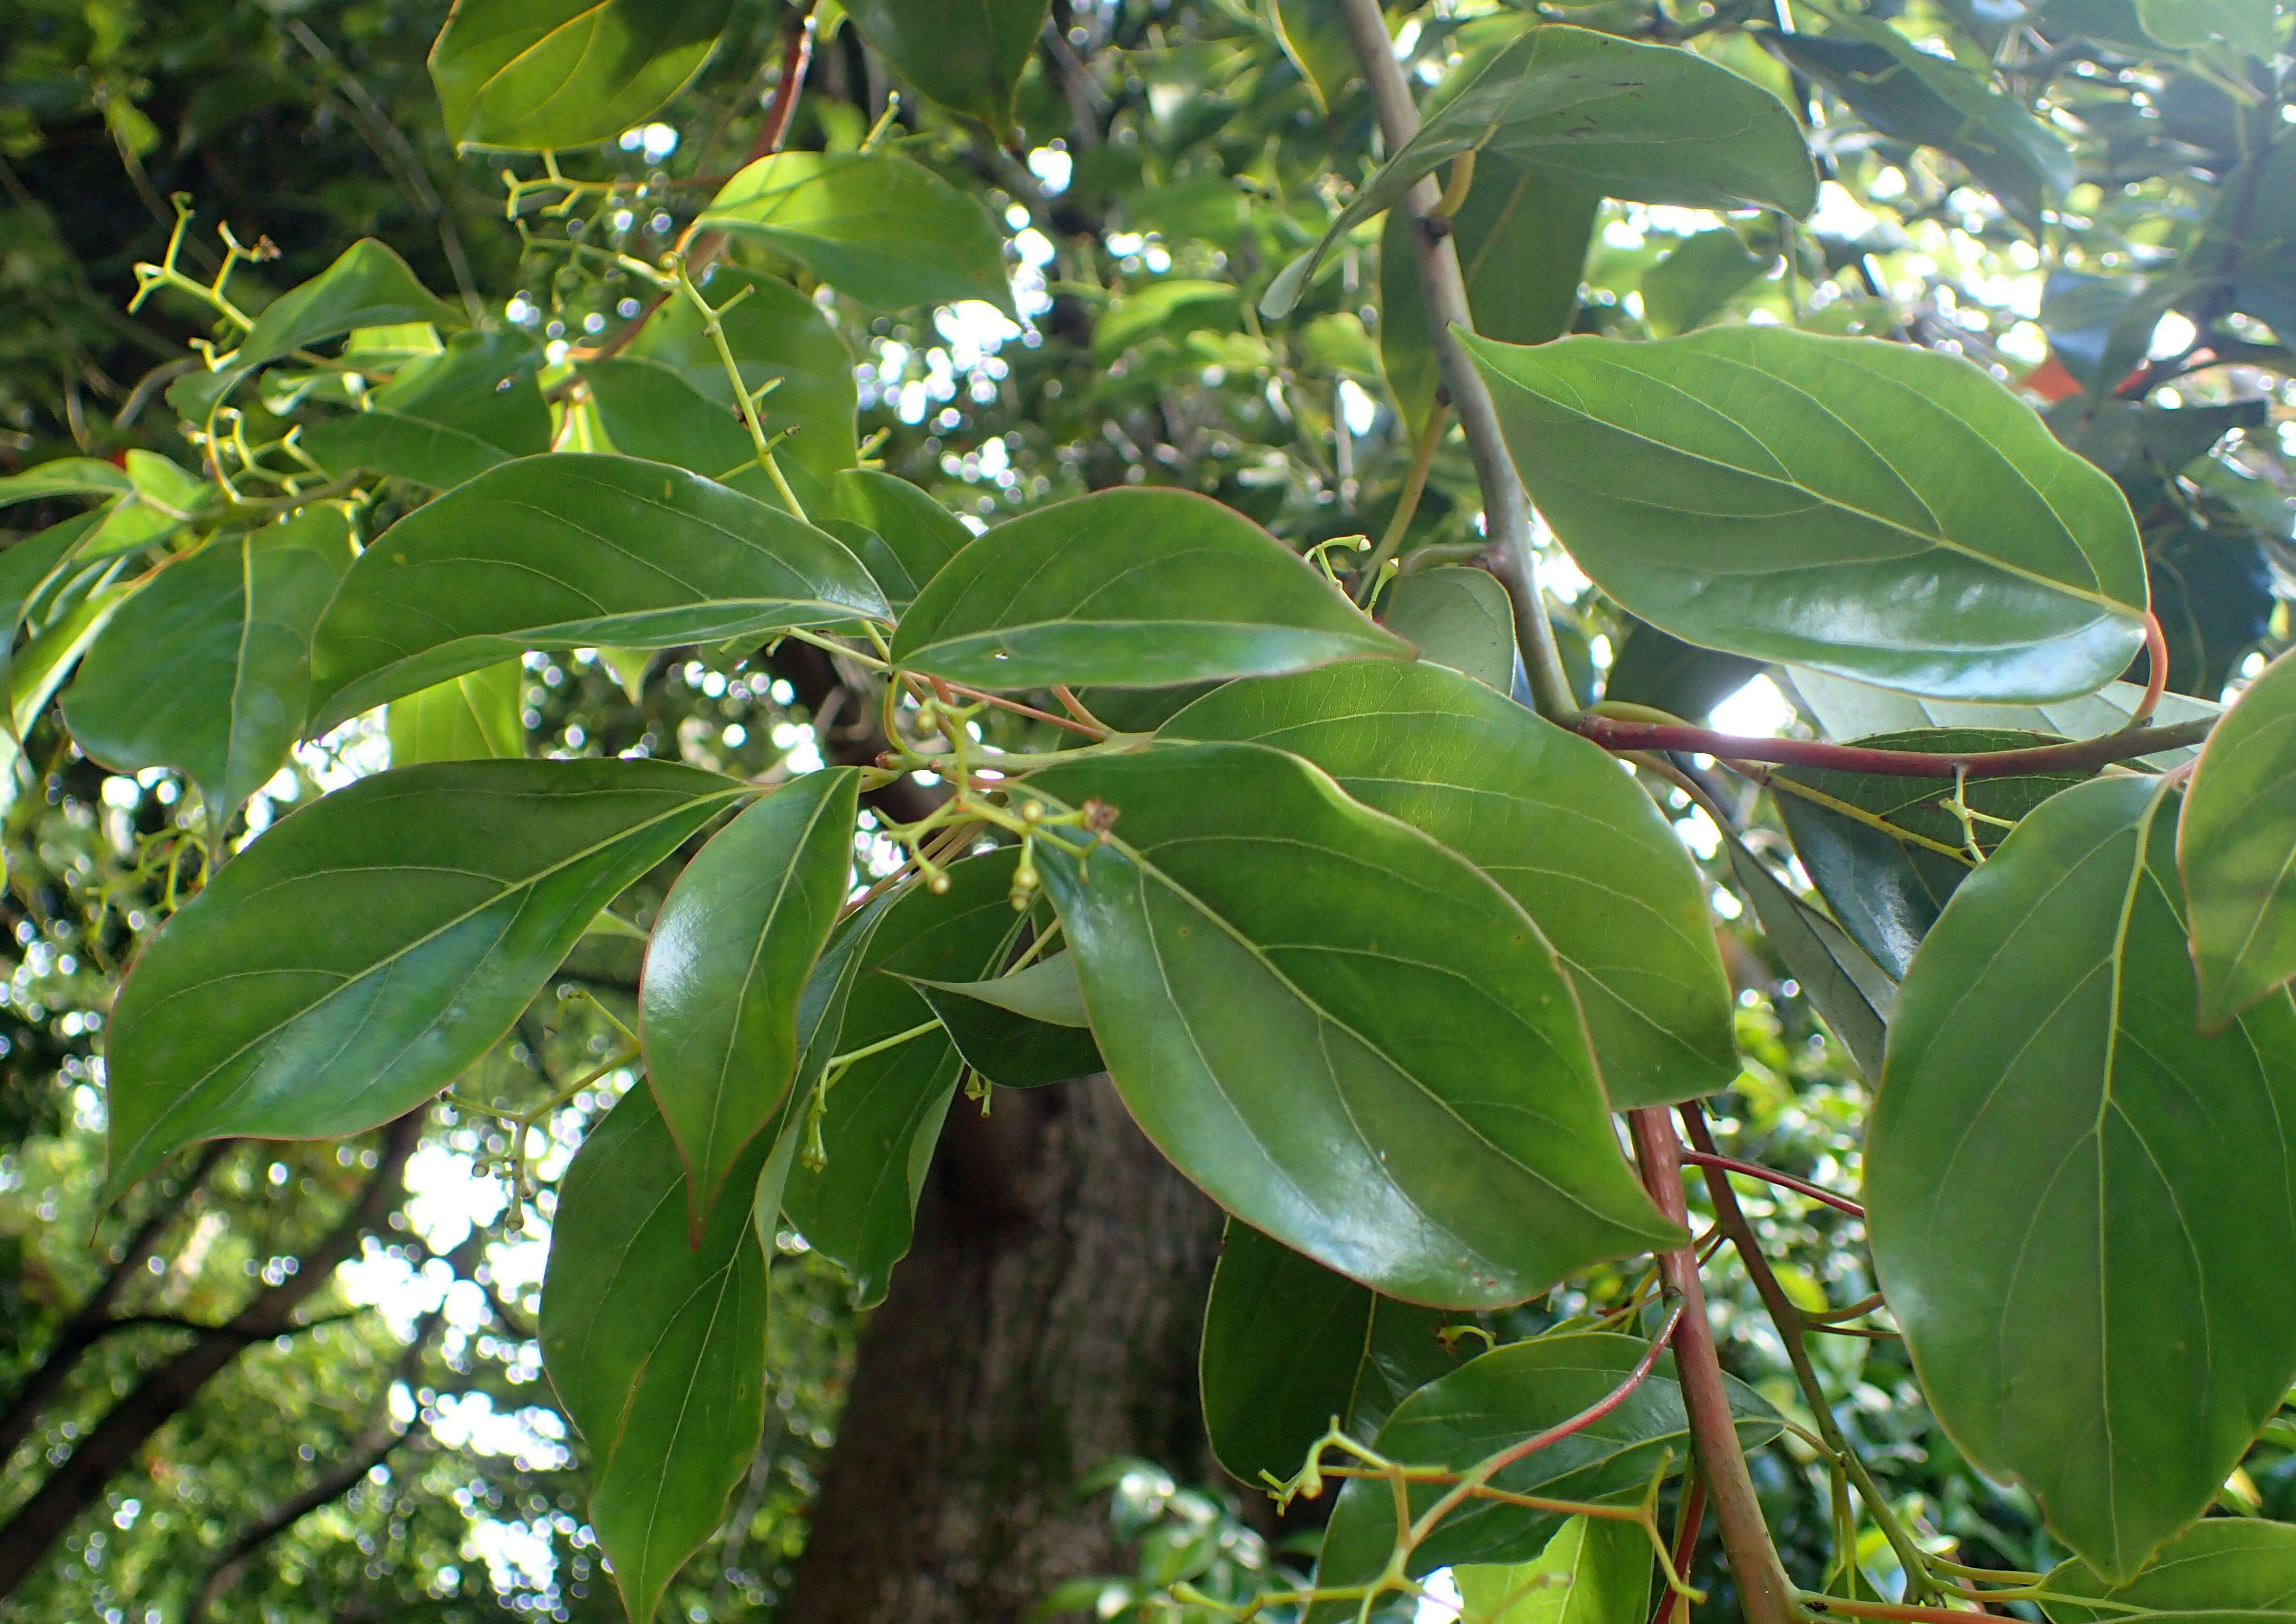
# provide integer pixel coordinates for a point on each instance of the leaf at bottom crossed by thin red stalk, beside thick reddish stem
(1500, 1400)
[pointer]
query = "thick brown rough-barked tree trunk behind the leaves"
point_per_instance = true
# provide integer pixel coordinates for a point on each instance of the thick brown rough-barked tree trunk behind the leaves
(1046, 1320)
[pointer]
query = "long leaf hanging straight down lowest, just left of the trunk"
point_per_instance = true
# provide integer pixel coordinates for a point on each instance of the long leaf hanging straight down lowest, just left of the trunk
(656, 1343)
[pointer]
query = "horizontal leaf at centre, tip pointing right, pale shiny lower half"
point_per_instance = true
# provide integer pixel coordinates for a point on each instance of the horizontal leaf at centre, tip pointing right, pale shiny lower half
(1131, 589)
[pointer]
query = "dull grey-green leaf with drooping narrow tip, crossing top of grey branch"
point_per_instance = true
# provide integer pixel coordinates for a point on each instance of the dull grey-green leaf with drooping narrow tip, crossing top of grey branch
(1606, 114)
